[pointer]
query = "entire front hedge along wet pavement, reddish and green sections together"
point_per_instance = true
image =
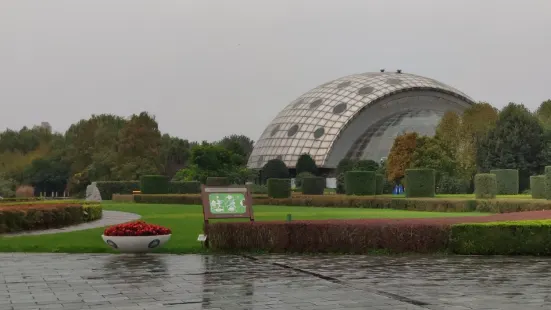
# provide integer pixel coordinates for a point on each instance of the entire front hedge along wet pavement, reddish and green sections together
(502, 238)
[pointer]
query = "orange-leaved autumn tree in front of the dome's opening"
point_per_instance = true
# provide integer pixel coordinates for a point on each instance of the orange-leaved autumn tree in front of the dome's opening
(400, 156)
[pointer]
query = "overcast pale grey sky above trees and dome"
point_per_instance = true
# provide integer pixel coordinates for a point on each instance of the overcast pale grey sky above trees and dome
(207, 69)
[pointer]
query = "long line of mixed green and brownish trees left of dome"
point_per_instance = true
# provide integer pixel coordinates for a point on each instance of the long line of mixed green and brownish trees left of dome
(108, 147)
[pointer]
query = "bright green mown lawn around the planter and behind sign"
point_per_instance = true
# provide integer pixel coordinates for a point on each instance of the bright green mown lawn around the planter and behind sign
(186, 223)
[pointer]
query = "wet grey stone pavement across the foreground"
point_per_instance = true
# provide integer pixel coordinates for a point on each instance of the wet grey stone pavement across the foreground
(63, 281)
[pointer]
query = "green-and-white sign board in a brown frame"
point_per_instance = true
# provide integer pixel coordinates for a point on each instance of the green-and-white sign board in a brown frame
(226, 202)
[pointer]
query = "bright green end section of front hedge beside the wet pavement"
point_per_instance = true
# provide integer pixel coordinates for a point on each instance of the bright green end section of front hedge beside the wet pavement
(502, 238)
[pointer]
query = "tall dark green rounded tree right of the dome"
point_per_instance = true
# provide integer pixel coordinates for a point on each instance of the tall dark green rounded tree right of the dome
(516, 142)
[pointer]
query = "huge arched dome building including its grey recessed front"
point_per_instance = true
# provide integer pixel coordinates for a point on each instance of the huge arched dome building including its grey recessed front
(357, 117)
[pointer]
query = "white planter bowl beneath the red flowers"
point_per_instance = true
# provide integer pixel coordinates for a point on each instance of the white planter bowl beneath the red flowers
(135, 244)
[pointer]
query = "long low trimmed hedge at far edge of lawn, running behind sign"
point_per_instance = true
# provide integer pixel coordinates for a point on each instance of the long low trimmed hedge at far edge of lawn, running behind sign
(374, 202)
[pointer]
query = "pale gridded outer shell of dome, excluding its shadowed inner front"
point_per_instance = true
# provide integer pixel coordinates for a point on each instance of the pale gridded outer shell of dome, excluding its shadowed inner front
(384, 85)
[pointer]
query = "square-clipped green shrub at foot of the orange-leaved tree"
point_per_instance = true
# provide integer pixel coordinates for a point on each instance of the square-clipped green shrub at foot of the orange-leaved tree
(420, 182)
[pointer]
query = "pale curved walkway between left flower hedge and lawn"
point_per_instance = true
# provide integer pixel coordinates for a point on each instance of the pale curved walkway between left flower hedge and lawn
(108, 218)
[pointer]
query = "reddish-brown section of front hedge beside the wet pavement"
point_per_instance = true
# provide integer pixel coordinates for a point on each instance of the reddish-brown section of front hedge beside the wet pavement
(322, 237)
